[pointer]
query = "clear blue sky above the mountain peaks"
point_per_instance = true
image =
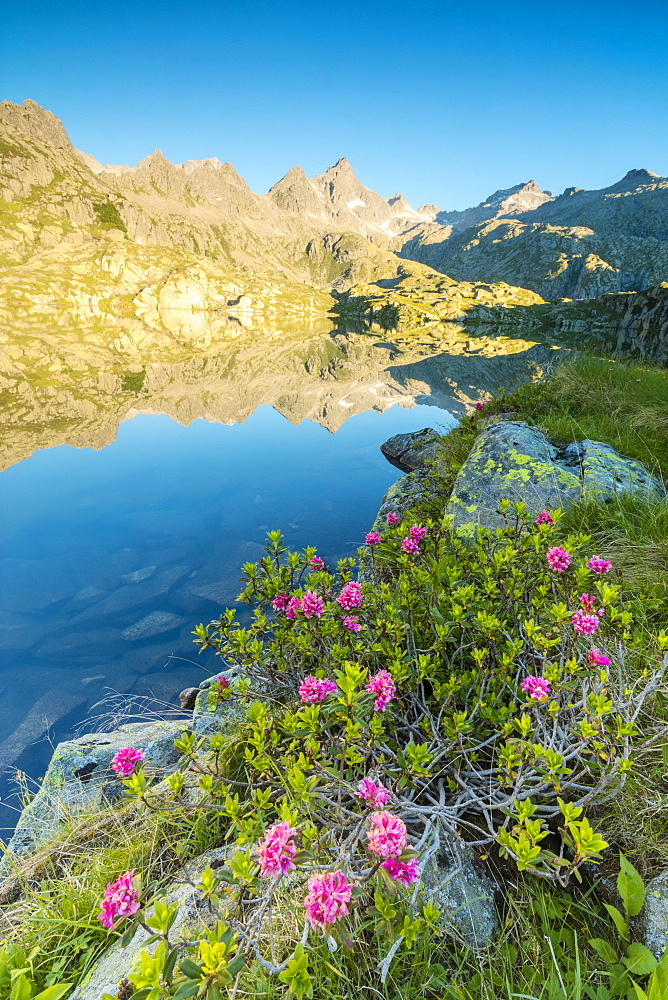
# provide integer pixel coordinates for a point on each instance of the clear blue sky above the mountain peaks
(445, 101)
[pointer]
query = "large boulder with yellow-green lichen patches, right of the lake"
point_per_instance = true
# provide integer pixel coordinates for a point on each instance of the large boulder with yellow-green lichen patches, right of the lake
(509, 461)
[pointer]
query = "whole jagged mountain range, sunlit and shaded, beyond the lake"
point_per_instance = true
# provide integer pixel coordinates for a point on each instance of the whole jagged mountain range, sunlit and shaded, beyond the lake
(162, 252)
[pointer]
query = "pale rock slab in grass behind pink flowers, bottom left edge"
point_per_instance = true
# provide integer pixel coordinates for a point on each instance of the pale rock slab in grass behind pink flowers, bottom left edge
(193, 915)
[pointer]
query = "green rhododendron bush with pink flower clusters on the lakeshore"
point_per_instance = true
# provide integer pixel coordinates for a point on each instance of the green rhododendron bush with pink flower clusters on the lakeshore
(470, 701)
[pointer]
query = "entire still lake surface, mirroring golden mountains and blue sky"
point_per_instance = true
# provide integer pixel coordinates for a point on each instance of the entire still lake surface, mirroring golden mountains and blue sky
(115, 548)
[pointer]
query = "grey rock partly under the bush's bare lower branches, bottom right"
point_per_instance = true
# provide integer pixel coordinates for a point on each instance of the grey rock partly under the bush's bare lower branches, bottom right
(464, 894)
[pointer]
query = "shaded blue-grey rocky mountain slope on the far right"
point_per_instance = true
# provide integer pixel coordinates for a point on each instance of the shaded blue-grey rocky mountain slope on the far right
(579, 245)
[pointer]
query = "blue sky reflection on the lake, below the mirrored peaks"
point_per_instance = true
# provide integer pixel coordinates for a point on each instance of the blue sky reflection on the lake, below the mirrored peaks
(185, 505)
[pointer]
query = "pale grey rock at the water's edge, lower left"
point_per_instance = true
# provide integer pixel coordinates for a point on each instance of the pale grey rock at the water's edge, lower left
(79, 778)
